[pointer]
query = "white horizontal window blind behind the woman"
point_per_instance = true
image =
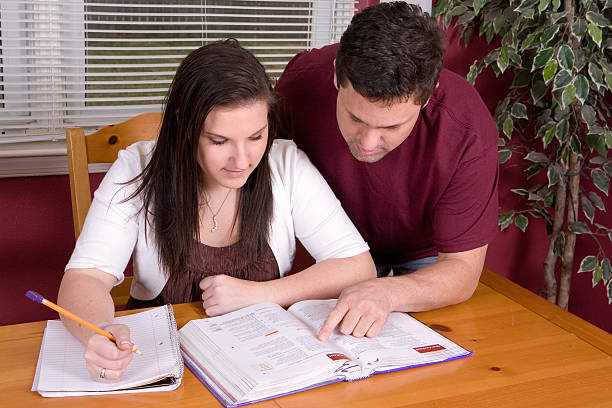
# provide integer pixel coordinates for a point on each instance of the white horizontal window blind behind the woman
(85, 63)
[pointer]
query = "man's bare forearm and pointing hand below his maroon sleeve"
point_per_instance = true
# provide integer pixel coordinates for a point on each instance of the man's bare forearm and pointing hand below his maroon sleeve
(363, 308)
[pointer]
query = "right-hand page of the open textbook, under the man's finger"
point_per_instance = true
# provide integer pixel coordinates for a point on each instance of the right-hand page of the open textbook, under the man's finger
(403, 341)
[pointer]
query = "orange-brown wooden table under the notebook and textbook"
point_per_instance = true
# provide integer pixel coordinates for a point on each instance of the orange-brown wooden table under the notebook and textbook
(527, 353)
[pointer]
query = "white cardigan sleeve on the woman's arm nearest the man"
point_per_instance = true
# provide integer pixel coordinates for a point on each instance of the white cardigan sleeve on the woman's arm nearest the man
(319, 221)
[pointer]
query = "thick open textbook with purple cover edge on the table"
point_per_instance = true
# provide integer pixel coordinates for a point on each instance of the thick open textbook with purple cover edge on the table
(264, 351)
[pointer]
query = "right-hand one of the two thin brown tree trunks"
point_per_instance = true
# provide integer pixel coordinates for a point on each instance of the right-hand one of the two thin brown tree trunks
(570, 237)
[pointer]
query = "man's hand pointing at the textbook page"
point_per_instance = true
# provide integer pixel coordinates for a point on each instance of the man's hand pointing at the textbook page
(362, 310)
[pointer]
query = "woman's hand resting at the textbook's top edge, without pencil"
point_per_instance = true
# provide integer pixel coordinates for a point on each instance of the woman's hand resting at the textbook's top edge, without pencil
(222, 294)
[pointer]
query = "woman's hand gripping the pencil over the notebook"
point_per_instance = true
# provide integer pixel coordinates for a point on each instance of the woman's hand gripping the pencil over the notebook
(105, 360)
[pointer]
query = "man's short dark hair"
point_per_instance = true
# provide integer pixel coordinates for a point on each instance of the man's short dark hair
(390, 52)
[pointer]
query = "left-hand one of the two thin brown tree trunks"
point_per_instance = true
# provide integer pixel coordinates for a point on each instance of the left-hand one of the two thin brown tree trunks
(550, 281)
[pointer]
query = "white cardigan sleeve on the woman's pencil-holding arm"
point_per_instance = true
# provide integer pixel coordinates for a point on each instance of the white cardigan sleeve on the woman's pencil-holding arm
(111, 227)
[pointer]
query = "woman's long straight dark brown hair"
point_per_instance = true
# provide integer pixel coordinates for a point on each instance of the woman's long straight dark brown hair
(219, 74)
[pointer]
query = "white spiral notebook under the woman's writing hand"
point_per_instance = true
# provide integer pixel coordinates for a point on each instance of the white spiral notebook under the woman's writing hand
(61, 370)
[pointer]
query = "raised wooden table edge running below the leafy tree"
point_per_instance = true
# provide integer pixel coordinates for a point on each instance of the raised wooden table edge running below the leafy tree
(580, 328)
